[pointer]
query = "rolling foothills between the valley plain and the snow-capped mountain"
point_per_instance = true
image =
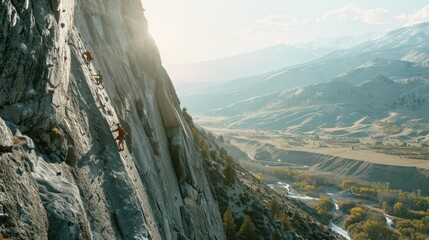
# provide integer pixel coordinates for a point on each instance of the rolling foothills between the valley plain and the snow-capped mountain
(379, 108)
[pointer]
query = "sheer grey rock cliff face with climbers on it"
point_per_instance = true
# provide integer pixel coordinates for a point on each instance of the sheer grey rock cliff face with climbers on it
(62, 176)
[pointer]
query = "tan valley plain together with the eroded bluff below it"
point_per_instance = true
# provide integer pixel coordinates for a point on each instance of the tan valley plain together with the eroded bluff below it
(405, 167)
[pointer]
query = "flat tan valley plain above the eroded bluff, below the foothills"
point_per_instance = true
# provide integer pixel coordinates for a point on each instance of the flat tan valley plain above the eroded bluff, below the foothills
(388, 152)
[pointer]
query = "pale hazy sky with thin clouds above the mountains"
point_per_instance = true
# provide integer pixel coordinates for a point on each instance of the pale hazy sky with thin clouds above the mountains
(196, 30)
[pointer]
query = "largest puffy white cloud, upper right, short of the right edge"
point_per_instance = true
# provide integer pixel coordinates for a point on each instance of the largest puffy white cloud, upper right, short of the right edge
(352, 12)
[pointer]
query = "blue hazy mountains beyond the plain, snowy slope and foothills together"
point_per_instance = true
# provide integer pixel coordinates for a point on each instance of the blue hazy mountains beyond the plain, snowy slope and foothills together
(385, 76)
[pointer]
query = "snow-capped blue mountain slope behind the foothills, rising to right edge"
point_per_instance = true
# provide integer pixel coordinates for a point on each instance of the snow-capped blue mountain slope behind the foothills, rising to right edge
(399, 54)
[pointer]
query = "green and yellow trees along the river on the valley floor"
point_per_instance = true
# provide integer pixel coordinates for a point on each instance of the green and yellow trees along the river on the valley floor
(411, 209)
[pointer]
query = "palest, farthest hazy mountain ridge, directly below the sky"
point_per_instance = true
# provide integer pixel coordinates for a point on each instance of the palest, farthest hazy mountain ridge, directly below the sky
(195, 77)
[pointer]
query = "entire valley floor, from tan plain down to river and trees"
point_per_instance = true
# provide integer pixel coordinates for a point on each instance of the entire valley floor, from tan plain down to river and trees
(313, 169)
